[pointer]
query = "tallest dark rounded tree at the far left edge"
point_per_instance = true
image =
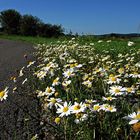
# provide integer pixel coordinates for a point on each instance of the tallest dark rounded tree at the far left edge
(10, 21)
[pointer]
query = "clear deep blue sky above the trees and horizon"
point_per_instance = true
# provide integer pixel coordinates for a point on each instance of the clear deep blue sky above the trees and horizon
(87, 16)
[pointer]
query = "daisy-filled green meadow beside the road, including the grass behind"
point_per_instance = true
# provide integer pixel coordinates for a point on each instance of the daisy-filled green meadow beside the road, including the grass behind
(87, 88)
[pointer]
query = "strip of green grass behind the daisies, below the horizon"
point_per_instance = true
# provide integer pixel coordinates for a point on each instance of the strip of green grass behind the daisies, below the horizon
(114, 47)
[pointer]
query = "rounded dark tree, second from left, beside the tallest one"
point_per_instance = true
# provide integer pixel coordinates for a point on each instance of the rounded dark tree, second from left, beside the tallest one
(29, 25)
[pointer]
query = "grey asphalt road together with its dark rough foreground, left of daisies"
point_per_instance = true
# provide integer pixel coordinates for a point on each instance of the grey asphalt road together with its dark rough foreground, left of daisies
(15, 121)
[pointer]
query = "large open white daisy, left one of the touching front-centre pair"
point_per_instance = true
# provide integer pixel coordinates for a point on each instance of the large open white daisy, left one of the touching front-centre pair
(64, 110)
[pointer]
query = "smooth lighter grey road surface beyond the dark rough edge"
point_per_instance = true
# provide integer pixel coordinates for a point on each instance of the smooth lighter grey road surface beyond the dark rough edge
(12, 58)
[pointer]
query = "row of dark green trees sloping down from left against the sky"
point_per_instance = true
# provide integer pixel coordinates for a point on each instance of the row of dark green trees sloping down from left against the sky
(12, 22)
